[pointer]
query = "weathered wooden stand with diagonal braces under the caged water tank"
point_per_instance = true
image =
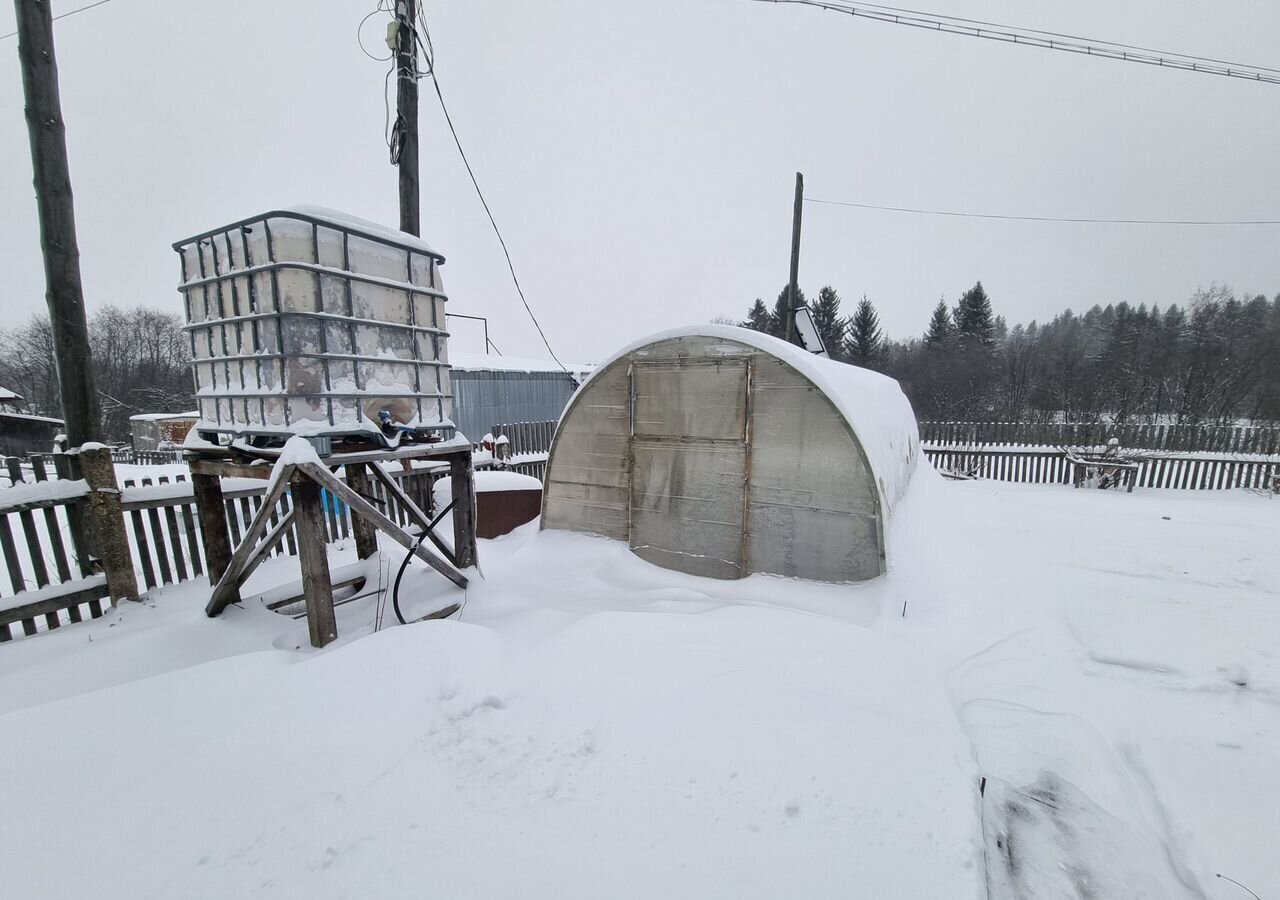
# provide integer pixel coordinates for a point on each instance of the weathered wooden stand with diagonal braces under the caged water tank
(305, 481)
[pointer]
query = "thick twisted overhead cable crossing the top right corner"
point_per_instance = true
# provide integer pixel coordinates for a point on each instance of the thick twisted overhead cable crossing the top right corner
(1044, 40)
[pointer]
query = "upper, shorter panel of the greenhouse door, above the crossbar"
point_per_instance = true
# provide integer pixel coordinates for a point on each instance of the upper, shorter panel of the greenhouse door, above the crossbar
(691, 400)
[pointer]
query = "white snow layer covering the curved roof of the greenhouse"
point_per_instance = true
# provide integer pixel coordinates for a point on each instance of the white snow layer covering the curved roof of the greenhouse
(874, 405)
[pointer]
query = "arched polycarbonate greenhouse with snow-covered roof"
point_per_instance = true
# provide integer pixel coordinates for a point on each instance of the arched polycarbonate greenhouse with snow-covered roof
(725, 453)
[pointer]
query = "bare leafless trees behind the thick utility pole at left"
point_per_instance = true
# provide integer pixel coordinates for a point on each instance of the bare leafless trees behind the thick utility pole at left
(141, 364)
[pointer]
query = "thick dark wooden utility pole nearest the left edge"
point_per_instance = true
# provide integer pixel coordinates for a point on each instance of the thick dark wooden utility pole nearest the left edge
(63, 290)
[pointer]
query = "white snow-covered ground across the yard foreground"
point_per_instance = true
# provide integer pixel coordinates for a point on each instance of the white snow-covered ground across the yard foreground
(593, 727)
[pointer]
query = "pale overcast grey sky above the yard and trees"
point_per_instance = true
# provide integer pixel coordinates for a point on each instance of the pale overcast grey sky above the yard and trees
(641, 157)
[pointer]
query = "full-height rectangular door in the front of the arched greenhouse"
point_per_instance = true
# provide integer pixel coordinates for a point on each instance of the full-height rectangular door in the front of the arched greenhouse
(689, 430)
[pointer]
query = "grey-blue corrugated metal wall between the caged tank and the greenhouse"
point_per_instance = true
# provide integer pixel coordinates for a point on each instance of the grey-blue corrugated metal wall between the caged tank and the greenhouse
(483, 399)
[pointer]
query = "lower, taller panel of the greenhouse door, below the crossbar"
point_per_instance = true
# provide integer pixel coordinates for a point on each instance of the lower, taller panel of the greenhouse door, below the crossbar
(687, 506)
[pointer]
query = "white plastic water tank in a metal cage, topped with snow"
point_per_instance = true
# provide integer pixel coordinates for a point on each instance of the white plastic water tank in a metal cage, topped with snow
(309, 322)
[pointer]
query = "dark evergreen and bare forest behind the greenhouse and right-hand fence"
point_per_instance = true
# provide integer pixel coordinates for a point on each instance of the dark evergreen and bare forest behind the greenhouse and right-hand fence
(1214, 360)
